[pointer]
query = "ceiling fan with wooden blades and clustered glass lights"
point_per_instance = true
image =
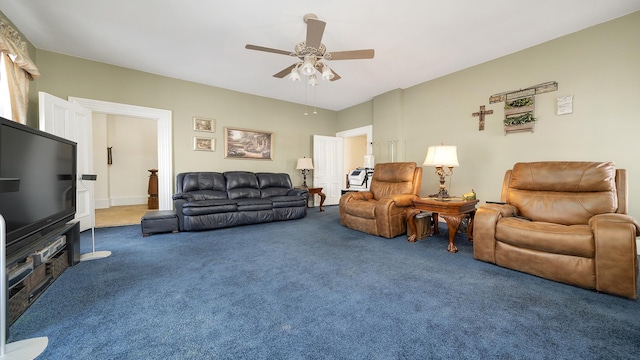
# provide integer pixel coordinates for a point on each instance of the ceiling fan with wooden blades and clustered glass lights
(311, 52)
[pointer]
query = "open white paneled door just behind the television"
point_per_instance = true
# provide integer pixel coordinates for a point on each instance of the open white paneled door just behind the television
(73, 122)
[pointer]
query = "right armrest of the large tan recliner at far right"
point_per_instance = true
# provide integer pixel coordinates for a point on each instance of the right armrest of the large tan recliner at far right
(616, 258)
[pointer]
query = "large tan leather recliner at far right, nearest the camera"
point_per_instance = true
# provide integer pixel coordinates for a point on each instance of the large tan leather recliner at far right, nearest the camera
(577, 229)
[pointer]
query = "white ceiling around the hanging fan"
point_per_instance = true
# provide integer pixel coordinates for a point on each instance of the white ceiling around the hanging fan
(203, 40)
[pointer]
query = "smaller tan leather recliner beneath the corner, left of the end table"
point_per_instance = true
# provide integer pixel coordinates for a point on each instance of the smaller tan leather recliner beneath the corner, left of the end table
(382, 210)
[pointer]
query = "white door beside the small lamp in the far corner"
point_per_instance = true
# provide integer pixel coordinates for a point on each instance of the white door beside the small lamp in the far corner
(328, 158)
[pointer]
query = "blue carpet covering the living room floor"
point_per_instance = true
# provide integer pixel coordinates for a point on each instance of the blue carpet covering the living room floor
(312, 289)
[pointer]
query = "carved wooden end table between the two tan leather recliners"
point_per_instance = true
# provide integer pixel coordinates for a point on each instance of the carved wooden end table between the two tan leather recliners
(451, 210)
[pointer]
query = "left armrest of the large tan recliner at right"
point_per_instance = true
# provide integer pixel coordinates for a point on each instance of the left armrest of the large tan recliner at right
(484, 229)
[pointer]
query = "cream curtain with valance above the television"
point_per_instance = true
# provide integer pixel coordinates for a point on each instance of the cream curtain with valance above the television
(18, 69)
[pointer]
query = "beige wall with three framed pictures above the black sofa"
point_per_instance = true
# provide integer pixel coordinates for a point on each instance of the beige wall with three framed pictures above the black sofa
(65, 76)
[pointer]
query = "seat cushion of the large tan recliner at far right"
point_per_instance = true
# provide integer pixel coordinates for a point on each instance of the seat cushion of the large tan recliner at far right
(574, 240)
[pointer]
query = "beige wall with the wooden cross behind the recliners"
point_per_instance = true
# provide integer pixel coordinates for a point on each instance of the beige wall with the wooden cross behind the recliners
(599, 66)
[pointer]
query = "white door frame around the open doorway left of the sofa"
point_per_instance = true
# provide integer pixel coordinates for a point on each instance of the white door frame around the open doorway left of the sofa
(163, 119)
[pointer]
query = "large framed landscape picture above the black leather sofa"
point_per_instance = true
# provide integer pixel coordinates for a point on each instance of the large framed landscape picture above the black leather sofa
(248, 144)
